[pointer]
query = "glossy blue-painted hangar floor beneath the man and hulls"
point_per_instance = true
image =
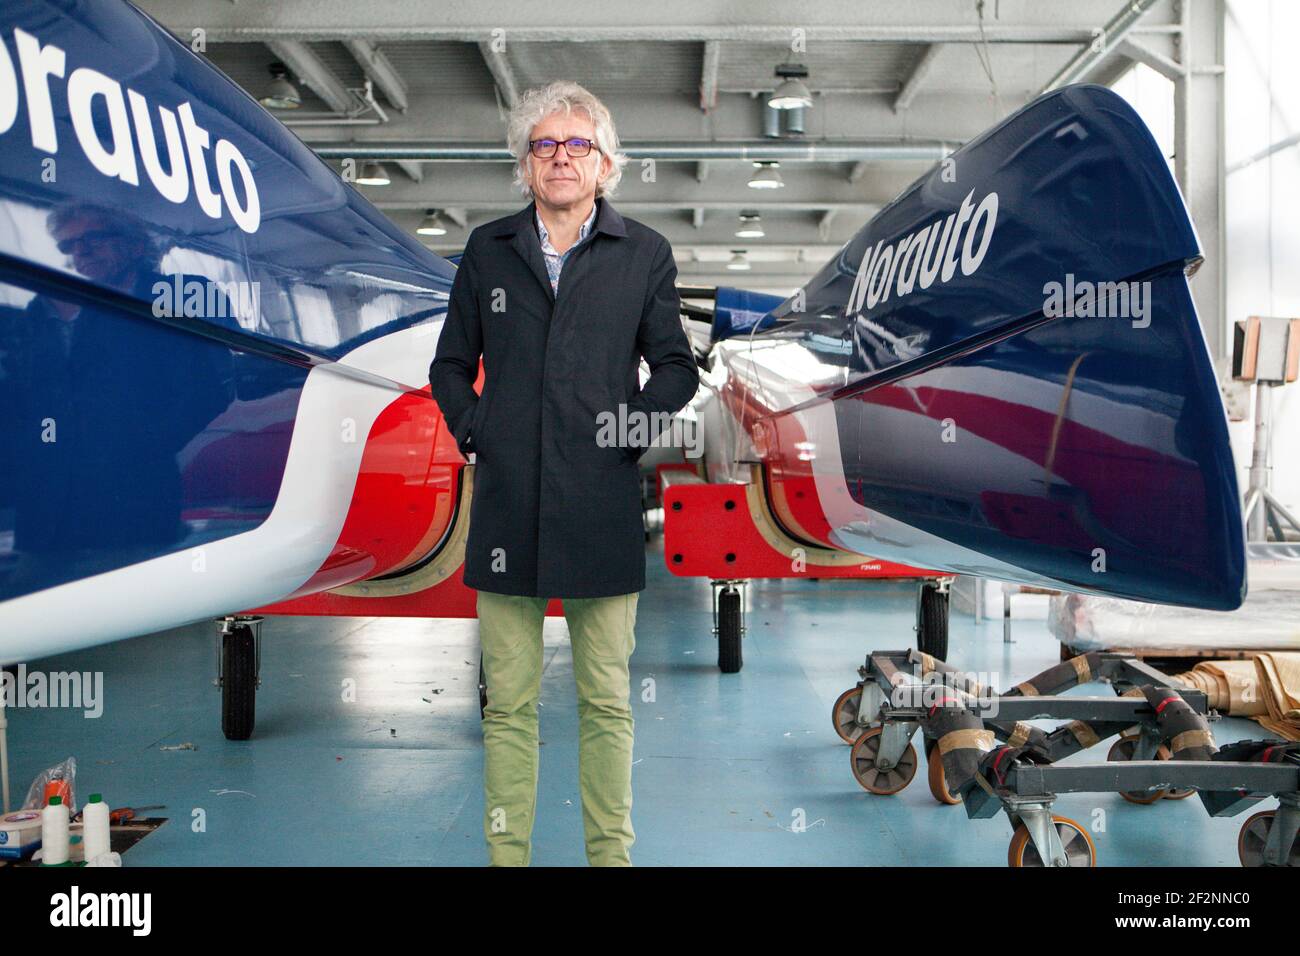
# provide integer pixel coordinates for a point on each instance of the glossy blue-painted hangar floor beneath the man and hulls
(726, 765)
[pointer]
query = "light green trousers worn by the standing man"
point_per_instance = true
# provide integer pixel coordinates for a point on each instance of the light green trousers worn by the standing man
(601, 630)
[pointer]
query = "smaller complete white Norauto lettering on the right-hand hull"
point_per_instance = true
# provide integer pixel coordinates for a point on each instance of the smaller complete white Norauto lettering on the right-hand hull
(928, 256)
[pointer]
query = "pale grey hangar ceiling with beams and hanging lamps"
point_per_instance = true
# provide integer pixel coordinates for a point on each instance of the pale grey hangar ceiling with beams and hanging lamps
(896, 85)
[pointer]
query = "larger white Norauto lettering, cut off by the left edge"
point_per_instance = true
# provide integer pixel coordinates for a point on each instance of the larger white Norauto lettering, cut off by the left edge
(90, 92)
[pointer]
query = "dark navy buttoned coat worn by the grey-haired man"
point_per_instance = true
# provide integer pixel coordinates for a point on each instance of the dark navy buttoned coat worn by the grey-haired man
(556, 513)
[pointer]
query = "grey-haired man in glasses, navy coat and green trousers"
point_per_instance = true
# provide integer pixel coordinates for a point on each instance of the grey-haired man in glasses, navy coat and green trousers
(562, 301)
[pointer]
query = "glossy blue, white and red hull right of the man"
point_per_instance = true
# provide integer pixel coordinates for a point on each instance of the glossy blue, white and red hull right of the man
(1030, 396)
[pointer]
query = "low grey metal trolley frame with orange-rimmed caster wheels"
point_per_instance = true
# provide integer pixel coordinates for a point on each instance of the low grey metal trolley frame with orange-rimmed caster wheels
(993, 760)
